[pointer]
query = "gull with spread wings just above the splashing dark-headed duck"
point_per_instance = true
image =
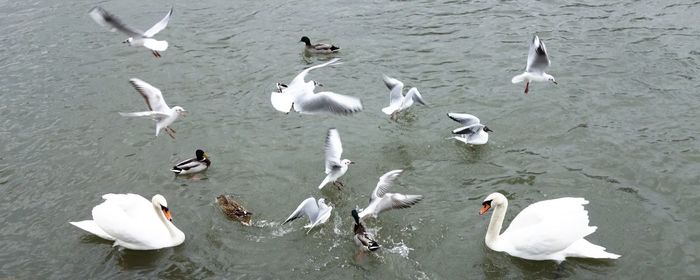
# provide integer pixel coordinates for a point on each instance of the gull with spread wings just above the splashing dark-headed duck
(381, 200)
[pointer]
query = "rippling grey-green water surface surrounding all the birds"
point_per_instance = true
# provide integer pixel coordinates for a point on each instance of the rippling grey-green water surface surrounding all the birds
(619, 129)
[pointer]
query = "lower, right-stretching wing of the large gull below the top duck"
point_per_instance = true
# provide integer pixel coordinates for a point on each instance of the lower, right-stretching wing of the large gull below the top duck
(327, 102)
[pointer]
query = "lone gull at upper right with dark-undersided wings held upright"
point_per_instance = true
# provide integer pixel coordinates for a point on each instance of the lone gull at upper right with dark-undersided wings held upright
(537, 61)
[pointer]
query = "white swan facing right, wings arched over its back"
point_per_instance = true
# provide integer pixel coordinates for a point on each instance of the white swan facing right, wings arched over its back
(133, 222)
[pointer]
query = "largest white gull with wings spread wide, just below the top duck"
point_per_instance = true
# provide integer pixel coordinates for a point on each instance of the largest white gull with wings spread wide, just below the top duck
(299, 96)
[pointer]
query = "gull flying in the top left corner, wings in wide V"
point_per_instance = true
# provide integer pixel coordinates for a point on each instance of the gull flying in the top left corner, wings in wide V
(136, 38)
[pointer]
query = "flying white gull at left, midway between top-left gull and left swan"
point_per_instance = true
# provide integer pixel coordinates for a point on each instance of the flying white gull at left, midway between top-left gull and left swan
(157, 108)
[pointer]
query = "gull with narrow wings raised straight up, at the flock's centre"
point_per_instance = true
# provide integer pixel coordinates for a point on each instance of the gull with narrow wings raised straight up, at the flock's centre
(335, 167)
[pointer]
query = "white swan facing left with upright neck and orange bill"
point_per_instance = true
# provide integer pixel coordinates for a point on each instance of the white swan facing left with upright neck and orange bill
(546, 230)
